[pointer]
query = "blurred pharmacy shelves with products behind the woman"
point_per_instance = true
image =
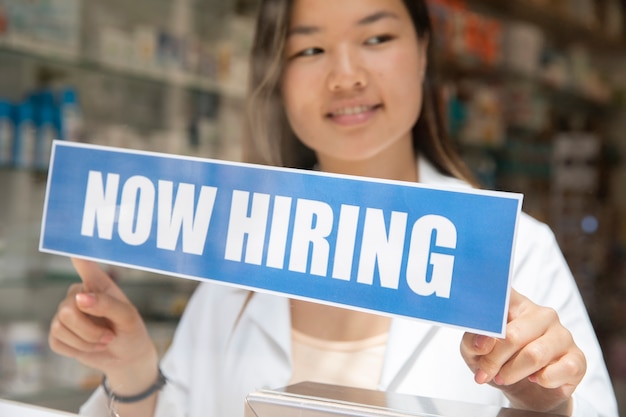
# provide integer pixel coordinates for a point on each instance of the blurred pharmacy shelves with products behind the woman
(533, 92)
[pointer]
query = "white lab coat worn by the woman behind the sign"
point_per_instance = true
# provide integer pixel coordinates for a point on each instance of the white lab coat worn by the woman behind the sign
(213, 363)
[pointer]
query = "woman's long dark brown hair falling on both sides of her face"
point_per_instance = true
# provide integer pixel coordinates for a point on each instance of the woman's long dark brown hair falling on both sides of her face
(269, 138)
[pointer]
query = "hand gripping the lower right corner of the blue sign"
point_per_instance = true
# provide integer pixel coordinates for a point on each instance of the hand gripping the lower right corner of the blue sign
(537, 366)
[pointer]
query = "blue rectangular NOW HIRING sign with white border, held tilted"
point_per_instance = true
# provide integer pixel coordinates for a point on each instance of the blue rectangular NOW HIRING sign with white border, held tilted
(395, 248)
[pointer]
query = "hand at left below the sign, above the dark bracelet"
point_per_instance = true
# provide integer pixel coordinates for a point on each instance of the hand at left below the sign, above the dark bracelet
(98, 325)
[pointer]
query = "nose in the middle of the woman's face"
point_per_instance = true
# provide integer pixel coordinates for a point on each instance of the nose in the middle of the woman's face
(347, 72)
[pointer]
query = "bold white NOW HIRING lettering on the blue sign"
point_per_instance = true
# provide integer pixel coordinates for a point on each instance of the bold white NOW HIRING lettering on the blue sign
(181, 217)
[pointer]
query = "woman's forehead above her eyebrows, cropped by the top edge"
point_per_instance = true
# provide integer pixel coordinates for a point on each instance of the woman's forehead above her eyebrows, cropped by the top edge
(331, 13)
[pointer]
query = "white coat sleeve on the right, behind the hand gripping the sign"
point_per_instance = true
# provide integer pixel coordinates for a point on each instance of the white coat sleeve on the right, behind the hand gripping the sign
(542, 274)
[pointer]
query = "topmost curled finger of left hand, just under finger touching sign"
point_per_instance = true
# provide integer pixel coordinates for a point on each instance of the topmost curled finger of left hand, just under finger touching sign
(122, 315)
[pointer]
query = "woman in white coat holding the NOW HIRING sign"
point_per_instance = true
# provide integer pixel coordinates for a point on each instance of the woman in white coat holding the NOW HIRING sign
(341, 86)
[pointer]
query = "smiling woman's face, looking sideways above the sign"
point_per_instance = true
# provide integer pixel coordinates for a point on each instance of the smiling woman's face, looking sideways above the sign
(352, 83)
